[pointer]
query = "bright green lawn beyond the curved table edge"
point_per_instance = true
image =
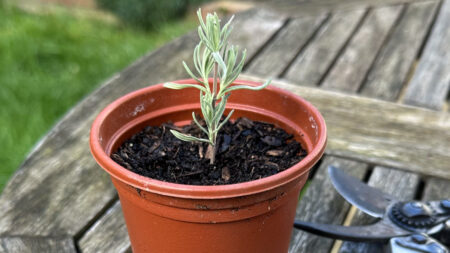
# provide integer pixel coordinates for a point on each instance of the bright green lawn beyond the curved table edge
(49, 62)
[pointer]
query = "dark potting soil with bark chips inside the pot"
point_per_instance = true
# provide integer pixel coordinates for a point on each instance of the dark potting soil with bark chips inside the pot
(246, 150)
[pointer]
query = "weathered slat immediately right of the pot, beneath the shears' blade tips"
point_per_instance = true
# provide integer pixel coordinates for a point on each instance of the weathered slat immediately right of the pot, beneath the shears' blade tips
(322, 204)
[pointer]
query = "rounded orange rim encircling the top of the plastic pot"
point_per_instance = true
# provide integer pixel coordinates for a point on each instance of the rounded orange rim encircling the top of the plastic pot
(204, 191)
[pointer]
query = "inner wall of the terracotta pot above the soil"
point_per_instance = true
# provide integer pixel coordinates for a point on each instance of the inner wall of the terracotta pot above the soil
(158, 106)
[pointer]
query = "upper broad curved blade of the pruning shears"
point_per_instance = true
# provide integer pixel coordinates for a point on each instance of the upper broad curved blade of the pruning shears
(370, 200)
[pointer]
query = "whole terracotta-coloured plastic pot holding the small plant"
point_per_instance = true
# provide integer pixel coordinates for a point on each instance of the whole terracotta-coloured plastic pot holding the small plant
(254, 216)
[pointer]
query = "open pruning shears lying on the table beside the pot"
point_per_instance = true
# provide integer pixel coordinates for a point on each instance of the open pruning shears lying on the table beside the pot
(411, 226)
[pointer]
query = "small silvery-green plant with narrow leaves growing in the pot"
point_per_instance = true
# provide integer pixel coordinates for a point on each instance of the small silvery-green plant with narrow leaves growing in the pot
(213, 54)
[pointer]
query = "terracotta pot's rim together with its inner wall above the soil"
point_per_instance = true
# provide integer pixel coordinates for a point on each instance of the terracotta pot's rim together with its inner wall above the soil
(155, 105)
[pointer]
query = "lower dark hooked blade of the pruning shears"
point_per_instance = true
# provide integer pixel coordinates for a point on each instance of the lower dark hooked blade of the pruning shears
(380, 231)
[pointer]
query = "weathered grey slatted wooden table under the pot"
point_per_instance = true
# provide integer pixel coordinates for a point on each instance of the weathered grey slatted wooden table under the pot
(380, 76)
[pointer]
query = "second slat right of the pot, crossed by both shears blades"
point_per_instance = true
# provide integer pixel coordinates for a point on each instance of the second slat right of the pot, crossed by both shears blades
(399, 184)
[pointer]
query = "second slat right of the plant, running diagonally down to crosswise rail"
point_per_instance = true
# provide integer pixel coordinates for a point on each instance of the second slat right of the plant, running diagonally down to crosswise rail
(312, 64)
